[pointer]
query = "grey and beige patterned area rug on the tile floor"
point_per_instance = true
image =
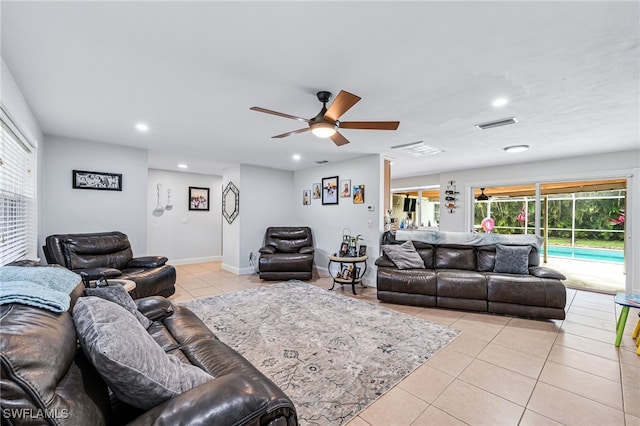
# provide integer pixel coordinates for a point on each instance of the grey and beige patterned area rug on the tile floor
(331, 354)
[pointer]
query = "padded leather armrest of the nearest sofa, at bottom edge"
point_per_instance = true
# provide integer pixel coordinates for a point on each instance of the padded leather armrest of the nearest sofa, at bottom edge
(226, 400)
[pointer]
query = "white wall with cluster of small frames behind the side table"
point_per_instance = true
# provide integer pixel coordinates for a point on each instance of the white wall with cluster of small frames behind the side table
(328, 221)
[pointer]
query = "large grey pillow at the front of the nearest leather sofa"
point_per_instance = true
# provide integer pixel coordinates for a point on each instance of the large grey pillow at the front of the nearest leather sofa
(134, 366)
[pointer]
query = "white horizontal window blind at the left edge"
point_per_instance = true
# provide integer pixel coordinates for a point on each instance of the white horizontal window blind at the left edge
(17, 195)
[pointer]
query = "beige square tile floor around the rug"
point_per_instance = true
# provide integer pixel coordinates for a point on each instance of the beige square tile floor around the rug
(500, 370)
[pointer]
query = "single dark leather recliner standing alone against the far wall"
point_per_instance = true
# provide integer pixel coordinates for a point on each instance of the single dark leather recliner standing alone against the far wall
(287, 253)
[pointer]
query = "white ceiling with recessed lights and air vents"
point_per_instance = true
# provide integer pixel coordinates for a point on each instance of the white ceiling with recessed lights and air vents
(191, 70)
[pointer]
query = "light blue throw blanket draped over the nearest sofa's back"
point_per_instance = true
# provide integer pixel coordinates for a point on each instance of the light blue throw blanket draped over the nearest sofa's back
(43, 287)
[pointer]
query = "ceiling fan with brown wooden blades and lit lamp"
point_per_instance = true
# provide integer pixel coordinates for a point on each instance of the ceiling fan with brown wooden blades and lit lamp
(326, 123)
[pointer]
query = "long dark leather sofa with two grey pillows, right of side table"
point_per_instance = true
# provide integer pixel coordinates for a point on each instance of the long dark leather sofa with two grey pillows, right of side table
(461, 277)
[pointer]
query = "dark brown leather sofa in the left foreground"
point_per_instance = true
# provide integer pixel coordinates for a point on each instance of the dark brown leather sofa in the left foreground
(47, 380)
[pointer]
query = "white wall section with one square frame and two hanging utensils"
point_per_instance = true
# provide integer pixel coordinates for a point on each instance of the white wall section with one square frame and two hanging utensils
(183, 235)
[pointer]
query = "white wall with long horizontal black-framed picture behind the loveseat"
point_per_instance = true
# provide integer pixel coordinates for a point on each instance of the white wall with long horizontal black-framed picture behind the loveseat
(68, 210)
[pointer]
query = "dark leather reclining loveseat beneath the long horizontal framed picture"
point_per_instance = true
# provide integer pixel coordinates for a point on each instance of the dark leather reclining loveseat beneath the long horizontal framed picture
(110, 253)
